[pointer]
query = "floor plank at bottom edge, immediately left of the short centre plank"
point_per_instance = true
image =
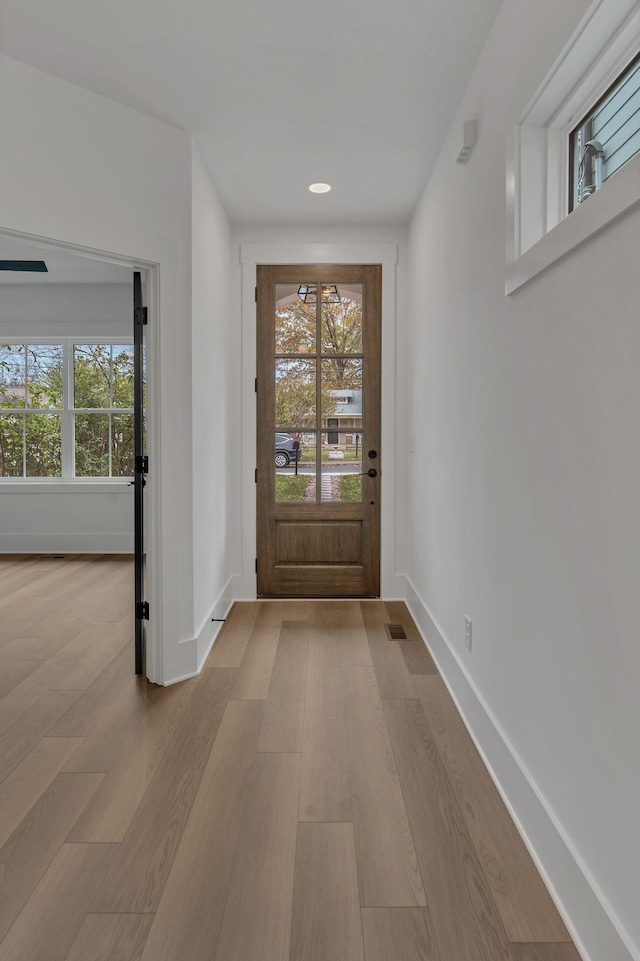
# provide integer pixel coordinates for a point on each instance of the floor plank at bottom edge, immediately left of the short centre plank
(257, 918)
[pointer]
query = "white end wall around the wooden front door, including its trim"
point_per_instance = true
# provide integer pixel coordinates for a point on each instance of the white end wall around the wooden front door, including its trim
(324, 244)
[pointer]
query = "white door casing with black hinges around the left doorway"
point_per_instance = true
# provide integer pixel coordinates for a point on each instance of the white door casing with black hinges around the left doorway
(153, 488)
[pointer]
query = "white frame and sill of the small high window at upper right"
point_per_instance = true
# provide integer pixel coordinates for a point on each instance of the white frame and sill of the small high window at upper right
(540, 231)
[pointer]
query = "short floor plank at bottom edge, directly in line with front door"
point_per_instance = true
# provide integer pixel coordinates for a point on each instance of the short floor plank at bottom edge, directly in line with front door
(326, 908)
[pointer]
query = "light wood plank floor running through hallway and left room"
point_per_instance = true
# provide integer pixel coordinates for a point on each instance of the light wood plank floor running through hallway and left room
(313, 796)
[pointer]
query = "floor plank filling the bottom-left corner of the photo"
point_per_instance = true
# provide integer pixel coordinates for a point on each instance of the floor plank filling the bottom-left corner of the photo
(50, 921)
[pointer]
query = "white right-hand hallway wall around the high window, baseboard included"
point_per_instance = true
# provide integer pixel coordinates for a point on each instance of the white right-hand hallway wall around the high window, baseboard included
(523, 495)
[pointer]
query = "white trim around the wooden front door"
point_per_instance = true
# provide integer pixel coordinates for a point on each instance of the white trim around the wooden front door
(251, 255)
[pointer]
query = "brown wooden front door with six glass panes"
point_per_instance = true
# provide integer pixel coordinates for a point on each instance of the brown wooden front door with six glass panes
(318, 393)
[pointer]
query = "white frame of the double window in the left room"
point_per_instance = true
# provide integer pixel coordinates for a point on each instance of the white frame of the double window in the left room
(67, 414)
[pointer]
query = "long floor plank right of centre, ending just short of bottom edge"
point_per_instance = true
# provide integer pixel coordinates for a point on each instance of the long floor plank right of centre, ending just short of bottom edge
(387, 865)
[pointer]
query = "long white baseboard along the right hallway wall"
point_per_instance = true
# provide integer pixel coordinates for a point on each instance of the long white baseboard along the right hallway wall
(596, 931)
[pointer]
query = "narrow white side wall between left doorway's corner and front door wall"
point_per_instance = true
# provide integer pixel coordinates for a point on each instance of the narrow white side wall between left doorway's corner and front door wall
(215, 406)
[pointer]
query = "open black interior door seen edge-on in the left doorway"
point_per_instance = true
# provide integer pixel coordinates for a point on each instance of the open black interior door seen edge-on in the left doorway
(141, 466)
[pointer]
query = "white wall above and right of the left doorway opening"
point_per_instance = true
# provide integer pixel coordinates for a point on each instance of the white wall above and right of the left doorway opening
(80, 169)
